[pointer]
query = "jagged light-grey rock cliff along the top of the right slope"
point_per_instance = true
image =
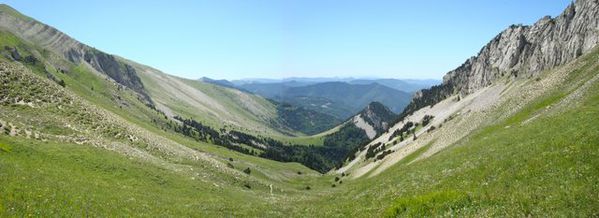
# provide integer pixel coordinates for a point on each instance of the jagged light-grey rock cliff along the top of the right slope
(521, 52)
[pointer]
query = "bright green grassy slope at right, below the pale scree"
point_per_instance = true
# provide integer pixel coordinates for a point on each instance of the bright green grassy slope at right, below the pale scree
(546, 167)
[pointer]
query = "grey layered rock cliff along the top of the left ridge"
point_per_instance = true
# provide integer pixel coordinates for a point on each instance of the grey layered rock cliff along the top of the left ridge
(51, 39)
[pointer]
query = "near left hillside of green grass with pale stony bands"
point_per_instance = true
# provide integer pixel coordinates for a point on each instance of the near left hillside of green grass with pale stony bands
(78, 140)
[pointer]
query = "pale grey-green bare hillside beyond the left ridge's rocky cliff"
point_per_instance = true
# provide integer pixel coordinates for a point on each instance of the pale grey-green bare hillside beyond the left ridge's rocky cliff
(214, 105)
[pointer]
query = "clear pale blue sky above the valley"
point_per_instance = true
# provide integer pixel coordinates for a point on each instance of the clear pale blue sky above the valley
(286, 38)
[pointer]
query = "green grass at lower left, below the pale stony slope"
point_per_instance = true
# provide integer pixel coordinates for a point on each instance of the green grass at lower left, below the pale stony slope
(54, 179)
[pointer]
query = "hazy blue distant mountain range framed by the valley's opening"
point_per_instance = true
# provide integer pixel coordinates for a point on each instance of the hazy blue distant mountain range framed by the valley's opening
(339, 97)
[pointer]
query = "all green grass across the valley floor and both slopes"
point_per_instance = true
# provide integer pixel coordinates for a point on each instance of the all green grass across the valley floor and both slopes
(547, 167)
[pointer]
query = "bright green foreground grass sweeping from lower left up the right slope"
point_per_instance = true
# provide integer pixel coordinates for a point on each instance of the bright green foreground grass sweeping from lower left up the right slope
(546, 167)
